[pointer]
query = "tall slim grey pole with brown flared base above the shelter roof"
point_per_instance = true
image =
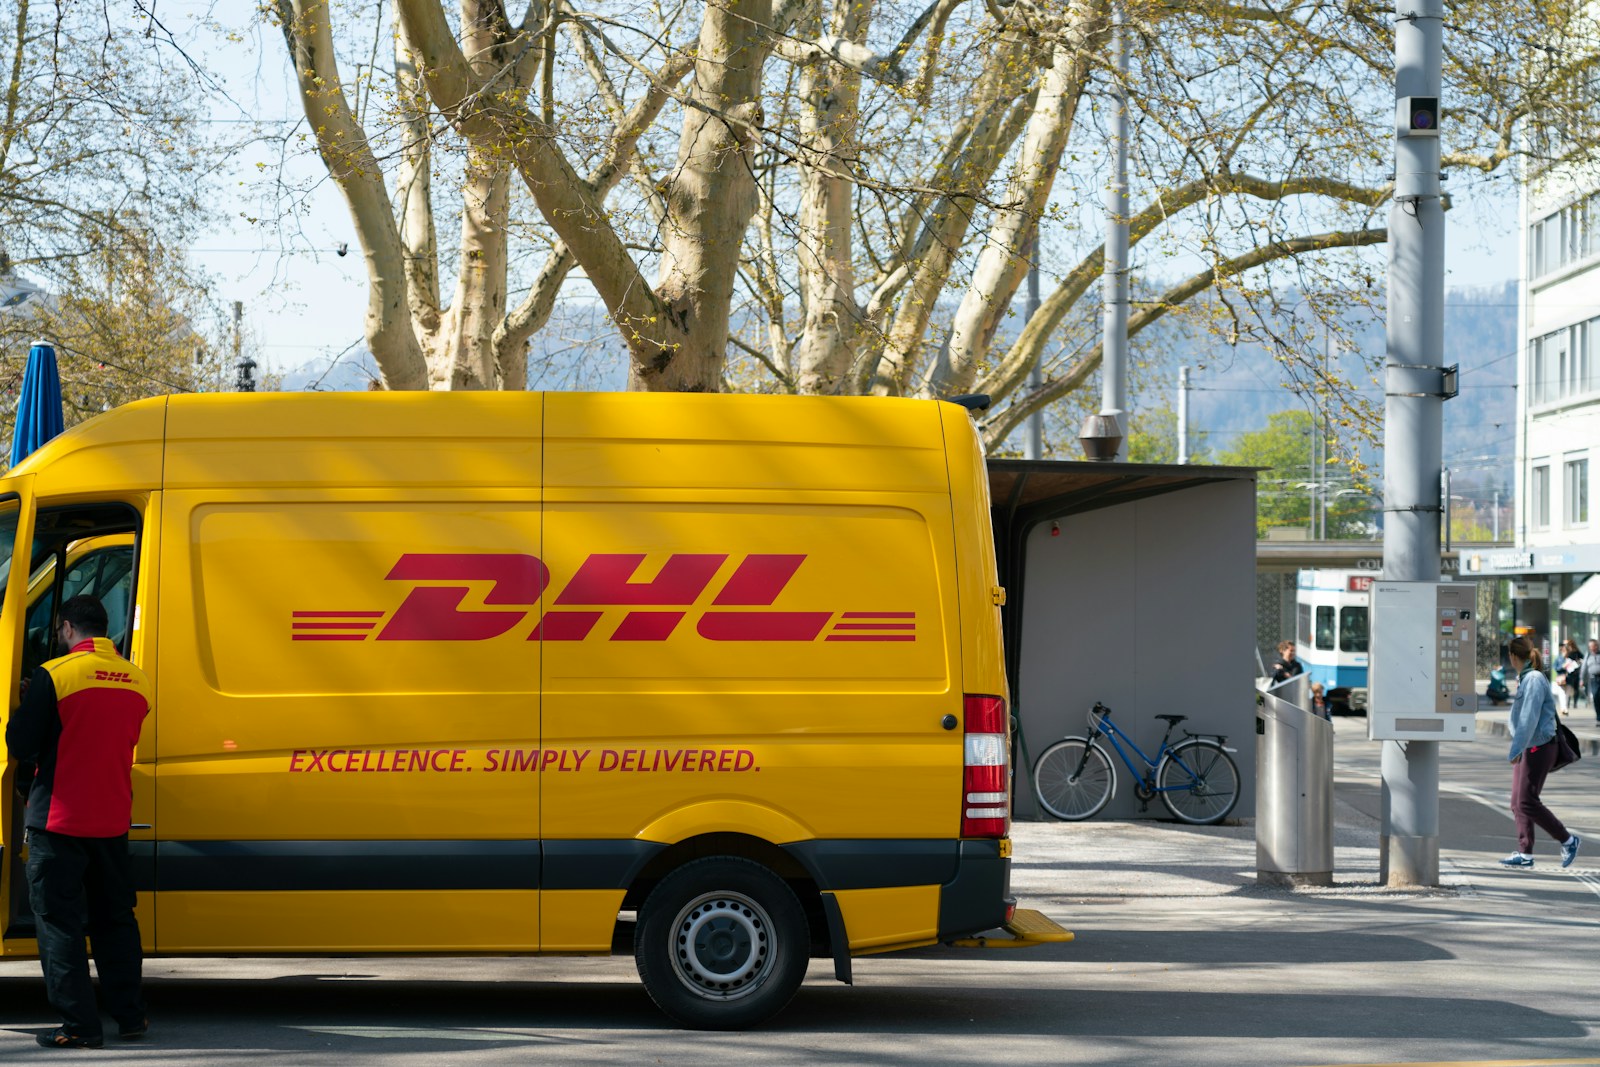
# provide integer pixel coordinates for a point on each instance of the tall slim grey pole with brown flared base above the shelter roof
(1114, 281)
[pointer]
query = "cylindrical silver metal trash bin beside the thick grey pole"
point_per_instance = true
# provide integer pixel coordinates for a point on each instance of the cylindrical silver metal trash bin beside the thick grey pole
(1294, 794)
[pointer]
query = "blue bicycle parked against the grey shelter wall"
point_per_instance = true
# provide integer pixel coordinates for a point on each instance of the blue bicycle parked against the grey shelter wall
(1196, 778)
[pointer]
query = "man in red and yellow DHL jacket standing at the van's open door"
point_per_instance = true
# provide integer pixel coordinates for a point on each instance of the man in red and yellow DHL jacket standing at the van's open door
(79, 724)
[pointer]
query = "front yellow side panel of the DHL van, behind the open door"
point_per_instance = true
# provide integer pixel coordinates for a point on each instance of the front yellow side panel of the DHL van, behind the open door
(350, 753)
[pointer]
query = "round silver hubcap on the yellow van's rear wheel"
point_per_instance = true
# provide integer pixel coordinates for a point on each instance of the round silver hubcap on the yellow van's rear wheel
(722, 946)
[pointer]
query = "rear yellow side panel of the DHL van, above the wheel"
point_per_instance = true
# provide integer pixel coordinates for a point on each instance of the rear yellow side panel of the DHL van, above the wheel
(758, 620)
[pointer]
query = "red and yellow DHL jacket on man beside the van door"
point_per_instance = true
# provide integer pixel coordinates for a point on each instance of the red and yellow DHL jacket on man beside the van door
(81, 722)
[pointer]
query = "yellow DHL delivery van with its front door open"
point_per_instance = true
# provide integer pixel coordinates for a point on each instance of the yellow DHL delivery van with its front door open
(714, 681)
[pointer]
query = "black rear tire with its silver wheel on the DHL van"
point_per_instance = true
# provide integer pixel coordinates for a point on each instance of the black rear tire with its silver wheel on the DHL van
(722, 945)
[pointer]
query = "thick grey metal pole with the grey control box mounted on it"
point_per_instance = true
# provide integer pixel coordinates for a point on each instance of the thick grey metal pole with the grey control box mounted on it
(1414, 423)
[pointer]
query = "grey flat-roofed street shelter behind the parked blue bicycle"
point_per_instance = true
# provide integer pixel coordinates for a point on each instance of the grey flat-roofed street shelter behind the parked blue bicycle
(1135, 586)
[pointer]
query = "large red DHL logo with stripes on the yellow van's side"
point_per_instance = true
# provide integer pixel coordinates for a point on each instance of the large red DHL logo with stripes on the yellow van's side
(740, 612)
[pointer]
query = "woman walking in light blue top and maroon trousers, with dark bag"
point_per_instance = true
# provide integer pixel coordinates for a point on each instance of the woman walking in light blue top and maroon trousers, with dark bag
(1532, 756)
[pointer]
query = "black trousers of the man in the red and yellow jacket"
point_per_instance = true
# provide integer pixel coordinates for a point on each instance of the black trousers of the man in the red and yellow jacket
(84, 887)
